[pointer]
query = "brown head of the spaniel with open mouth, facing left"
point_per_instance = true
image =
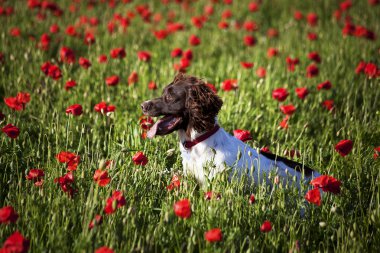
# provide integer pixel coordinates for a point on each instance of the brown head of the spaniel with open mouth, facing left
(186, 103)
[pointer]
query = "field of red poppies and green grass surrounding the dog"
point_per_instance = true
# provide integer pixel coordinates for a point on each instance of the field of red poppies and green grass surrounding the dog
(298, 78)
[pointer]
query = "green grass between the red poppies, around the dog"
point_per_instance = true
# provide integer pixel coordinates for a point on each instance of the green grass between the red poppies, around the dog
(56, 223)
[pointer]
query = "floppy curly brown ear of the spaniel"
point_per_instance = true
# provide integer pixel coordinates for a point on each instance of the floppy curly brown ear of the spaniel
(202, 105)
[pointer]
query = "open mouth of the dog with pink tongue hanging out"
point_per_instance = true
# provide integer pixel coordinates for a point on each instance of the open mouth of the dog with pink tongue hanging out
(164, 126)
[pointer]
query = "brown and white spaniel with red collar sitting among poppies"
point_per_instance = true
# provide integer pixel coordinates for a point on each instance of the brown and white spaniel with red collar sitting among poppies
(190, 107)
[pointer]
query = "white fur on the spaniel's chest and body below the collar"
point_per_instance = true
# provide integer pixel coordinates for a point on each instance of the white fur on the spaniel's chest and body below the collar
(221, 151)
